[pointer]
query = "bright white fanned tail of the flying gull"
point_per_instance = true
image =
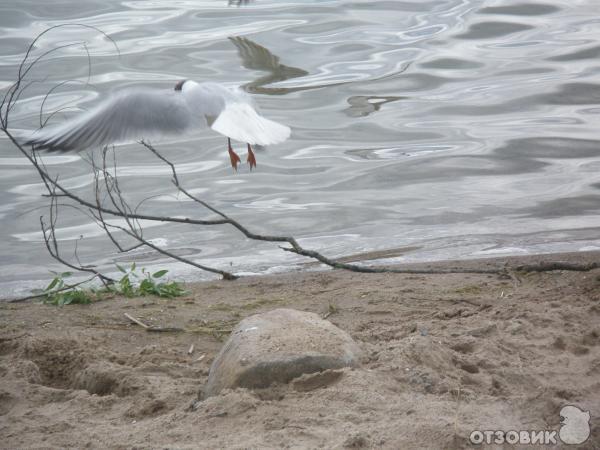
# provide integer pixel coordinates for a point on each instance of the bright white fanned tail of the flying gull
(241, 122)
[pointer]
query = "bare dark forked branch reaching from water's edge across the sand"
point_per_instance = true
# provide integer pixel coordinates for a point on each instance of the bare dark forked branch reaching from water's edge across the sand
(108, 201)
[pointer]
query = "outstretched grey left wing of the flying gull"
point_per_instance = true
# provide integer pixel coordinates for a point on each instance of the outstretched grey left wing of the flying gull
(129, 115)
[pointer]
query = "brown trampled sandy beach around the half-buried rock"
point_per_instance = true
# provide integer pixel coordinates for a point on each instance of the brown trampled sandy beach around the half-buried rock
(446, 354)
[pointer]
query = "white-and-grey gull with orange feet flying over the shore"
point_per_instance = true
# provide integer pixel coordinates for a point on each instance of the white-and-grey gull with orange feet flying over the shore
(135, 114)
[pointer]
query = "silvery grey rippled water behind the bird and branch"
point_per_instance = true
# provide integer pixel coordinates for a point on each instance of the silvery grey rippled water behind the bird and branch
(462, 128)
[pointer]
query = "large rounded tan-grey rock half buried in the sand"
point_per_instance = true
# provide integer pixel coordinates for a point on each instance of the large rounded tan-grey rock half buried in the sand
(278, 346)
